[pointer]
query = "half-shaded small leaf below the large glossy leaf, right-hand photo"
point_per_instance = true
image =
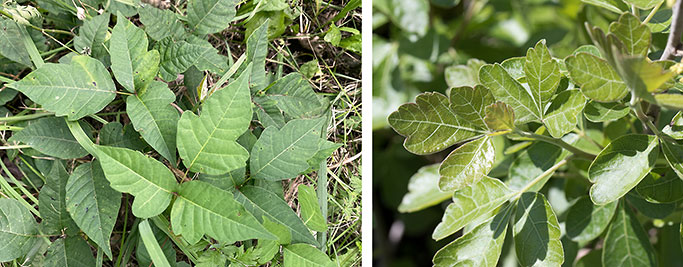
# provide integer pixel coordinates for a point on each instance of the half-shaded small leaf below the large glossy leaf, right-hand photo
(586, 221)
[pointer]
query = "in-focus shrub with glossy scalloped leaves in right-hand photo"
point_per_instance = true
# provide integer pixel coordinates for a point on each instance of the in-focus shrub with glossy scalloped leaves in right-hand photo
(600, 119)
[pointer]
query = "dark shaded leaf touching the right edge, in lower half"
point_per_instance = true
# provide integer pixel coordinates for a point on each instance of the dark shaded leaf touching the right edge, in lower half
(661, 188)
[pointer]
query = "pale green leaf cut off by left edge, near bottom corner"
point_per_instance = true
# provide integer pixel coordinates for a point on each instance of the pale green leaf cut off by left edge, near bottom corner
(18, 230)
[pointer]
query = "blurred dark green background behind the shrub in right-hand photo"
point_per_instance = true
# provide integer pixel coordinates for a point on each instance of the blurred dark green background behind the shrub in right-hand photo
(416, 44)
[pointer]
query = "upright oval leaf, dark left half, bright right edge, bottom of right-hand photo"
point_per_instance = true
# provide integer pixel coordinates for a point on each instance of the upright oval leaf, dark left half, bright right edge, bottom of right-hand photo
(536, 232)
